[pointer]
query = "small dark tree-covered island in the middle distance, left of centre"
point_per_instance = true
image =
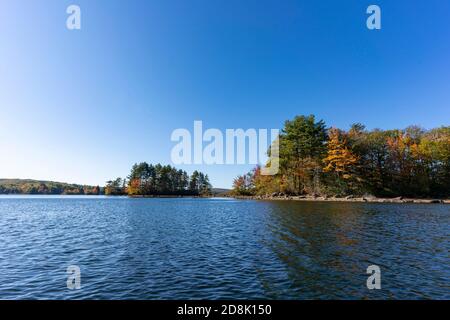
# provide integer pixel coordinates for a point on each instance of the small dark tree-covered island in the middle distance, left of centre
(148, 180)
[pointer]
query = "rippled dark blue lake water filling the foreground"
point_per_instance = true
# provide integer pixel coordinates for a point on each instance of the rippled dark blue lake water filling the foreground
(221, 248)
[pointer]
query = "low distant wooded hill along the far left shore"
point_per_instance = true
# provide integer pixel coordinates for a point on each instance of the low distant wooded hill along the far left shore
(28, 186)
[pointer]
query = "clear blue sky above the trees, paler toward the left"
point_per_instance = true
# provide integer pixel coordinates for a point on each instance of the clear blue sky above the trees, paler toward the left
(83, 106)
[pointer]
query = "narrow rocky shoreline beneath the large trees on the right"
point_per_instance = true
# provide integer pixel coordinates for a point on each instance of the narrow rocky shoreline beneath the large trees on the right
(370, 199)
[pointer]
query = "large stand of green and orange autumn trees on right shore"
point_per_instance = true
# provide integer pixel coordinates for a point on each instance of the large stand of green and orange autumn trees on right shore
(318, 160)
